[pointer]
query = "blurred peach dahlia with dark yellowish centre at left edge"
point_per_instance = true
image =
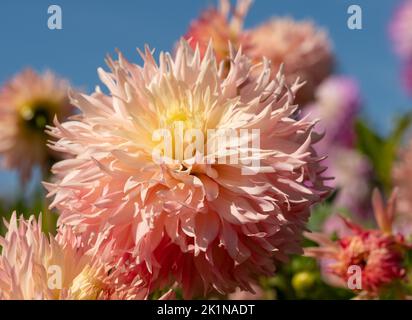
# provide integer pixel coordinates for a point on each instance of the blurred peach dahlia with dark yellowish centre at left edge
(28, 103)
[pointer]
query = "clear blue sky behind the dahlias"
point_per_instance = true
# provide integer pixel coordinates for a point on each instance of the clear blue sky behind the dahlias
(93, 28)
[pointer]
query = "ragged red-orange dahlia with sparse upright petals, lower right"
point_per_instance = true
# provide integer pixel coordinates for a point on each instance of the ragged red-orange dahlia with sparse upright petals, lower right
(378, 253)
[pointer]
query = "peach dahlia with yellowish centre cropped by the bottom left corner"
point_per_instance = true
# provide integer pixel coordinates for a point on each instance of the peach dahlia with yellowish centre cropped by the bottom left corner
(32, 266)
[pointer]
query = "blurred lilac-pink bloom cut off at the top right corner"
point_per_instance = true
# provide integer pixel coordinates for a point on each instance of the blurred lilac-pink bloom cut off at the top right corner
(401, 30)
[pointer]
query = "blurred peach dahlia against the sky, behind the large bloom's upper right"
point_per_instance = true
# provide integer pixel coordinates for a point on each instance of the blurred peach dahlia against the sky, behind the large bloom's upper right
(303, 49)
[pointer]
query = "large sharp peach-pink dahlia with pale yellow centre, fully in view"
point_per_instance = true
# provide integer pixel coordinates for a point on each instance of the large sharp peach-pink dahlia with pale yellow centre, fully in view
(203, 224)
